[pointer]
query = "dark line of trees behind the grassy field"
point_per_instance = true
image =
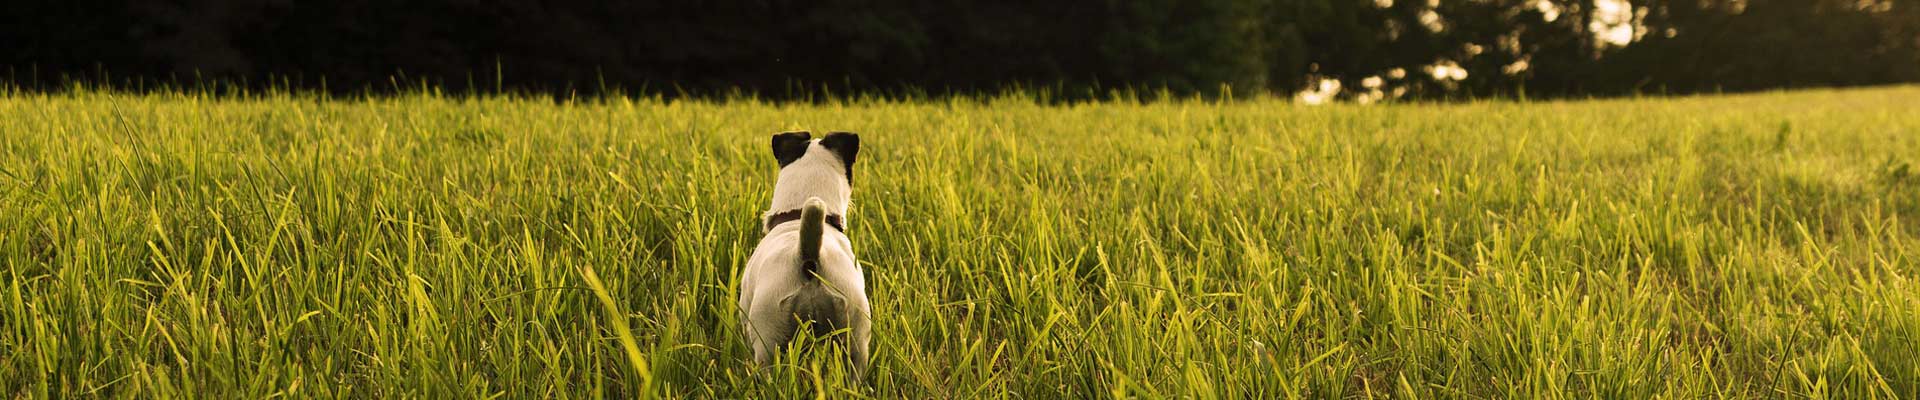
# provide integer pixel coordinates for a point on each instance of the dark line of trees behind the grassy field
(786, 47)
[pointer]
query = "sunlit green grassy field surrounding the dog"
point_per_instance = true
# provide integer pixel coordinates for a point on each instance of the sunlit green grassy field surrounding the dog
(427, 247)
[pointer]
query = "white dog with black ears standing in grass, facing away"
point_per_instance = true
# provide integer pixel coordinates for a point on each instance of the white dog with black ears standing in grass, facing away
(804, 274)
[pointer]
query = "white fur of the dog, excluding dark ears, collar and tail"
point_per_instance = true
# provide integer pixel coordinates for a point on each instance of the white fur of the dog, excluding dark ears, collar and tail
(777, 295)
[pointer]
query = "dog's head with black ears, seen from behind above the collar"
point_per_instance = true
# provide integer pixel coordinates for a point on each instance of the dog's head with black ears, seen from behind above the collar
(815, 168)
